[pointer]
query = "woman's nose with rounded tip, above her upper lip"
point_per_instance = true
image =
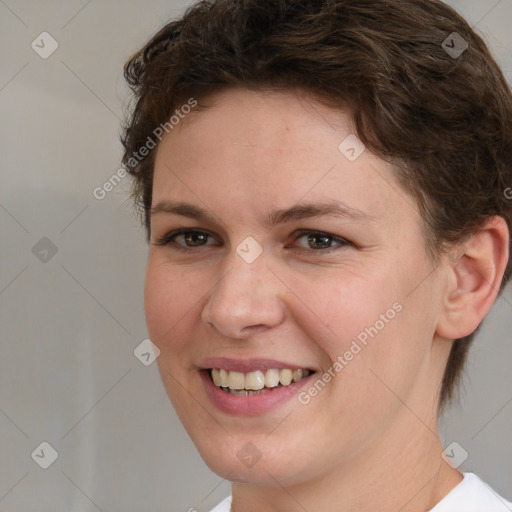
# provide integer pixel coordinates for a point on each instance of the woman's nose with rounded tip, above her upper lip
(247, 299)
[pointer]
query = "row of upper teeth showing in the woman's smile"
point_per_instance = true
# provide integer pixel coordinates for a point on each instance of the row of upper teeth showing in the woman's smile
(257, 380)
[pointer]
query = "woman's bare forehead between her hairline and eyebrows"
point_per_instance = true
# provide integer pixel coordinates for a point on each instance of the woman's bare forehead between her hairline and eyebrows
(249, 151)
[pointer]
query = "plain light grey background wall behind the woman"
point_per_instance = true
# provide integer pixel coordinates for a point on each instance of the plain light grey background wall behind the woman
(69, 325)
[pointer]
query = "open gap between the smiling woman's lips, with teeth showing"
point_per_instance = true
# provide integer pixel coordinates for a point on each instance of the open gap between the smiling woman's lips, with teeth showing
(255, 382)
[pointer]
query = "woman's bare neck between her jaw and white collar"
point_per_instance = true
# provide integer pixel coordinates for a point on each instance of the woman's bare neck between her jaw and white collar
(402, 472)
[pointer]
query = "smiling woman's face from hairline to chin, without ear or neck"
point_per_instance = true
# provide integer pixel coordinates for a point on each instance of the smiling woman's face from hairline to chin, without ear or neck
(296, 251)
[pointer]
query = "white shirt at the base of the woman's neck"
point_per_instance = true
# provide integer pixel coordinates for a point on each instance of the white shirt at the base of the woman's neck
(471, 495)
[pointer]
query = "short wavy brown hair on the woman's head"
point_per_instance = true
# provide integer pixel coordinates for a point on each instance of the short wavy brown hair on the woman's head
(446, 119)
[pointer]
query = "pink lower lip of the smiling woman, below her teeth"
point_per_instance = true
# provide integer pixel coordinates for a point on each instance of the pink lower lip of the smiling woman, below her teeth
(251, 405)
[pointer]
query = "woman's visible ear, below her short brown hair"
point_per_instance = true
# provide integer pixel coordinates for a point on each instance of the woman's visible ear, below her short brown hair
(474, 274)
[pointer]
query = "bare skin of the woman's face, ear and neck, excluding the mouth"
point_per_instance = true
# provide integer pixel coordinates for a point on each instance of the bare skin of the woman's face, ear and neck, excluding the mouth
(369, 439)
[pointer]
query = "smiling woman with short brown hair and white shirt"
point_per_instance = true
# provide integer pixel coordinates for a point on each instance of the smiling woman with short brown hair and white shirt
(328, 222)
